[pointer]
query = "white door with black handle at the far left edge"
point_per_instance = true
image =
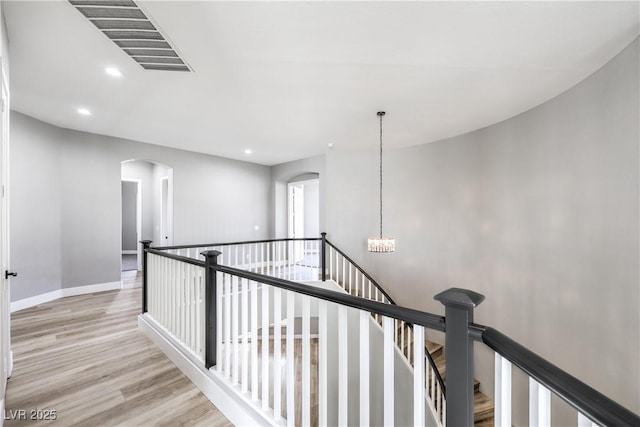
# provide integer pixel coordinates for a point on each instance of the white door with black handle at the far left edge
(5, 339)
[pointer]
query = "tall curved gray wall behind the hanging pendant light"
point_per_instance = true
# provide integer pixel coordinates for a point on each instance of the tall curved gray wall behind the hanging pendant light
(539, 213)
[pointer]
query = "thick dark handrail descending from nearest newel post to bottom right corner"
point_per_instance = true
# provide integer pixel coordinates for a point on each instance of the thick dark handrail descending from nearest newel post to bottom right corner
(593, 404)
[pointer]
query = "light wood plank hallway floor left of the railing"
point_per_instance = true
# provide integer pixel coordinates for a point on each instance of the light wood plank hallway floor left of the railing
(84, 358)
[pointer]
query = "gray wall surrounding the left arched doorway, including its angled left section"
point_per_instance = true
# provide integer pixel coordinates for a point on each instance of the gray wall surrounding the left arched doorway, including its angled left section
(216, 199)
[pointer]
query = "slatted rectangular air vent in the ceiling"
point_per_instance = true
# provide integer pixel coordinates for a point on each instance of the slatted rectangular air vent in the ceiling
(130, 29)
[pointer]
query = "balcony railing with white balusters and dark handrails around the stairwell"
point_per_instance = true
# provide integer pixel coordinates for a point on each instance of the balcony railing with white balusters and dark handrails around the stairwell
(317, 353)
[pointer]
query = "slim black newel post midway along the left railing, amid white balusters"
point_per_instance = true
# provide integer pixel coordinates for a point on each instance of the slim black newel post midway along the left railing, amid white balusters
(210, 292)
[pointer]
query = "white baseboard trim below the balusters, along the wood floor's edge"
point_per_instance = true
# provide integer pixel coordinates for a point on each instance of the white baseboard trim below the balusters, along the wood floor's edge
(225, 397)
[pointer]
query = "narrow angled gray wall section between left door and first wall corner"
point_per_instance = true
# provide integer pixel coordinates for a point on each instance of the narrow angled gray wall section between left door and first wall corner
(35, 209)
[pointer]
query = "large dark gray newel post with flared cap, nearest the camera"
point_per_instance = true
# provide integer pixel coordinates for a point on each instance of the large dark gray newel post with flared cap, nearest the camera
(459, 305)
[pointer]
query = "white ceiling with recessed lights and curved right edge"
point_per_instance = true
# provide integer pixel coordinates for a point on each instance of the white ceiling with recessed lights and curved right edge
(287, 78)
